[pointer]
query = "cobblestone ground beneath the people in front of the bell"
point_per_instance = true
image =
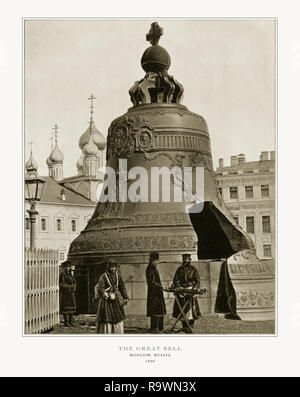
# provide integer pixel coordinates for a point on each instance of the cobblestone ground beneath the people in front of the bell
(208, 324)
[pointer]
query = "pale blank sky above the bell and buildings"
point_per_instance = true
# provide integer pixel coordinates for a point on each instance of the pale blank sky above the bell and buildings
(227, 69)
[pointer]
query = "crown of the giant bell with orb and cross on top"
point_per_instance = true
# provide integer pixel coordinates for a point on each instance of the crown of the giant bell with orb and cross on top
(157, 86)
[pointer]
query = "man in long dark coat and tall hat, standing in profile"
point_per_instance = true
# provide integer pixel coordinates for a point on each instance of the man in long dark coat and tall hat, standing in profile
(156, 308)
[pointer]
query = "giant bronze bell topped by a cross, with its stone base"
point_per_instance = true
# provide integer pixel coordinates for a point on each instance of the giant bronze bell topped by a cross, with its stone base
(159, 132)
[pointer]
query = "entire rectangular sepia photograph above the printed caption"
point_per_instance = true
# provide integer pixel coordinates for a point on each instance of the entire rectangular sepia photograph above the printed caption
(149, 176)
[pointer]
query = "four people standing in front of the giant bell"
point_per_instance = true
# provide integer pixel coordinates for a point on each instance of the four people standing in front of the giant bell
(112, 297)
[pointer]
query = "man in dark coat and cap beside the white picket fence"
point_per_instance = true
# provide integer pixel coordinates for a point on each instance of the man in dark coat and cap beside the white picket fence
(67, 288)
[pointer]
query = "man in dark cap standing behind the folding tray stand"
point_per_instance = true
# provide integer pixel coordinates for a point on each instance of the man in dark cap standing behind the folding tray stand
(187, 277)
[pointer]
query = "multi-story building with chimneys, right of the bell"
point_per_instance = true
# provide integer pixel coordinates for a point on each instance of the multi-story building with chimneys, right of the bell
(248, 190)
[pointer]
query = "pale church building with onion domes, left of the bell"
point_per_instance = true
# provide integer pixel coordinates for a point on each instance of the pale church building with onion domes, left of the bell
(67, 204)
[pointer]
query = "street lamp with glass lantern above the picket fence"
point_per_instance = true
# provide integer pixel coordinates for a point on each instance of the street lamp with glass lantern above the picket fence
(33, 192)
